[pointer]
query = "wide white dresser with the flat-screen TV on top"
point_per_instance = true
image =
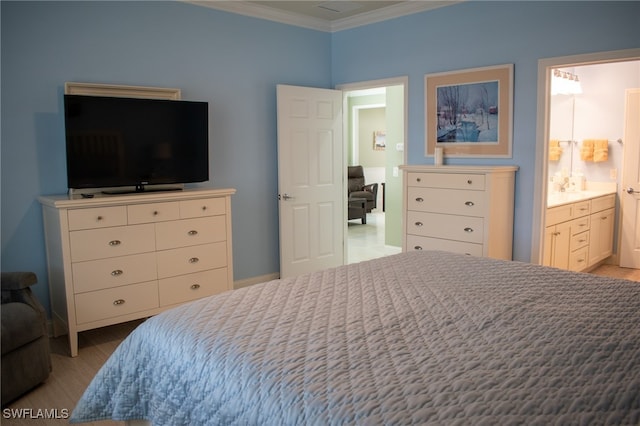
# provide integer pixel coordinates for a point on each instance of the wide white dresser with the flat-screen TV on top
(113, 259)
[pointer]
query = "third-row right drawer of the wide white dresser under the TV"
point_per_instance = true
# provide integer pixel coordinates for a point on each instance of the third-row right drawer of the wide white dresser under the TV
(191, 259)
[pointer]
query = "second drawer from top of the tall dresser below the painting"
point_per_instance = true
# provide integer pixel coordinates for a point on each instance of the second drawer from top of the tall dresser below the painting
(468, 203)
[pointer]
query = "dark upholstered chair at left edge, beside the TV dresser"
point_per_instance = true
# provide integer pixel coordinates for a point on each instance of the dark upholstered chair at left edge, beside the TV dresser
(26, 357)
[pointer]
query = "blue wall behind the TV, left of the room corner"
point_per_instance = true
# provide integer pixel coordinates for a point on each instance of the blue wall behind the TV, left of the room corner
(231, 61)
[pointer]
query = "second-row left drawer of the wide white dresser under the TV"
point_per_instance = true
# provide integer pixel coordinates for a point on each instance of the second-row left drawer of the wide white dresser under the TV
(111, 242)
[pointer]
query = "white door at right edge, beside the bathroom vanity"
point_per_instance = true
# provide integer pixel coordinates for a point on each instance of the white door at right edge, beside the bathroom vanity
(630, 224)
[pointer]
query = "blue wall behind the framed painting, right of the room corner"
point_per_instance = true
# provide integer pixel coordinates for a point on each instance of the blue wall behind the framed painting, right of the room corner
(478, 34)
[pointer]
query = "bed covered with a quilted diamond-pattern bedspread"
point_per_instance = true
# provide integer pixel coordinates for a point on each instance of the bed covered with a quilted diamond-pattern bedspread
(415, 338)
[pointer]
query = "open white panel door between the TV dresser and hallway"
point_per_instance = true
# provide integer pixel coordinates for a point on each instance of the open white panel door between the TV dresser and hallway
(310, 173)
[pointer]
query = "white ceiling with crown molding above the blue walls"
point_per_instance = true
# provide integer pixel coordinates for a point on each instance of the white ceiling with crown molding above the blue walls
(325, 15)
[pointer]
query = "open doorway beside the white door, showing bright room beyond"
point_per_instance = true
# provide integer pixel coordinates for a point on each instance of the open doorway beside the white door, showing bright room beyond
(374, 135)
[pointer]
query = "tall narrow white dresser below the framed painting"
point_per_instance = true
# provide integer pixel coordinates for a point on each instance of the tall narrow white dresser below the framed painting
(463, 209)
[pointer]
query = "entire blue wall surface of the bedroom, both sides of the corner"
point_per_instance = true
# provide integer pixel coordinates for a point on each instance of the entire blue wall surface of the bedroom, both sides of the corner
(235, 62)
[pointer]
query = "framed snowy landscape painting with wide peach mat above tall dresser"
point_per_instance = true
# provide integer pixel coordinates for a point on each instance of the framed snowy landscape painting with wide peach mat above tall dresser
(469, 112)
